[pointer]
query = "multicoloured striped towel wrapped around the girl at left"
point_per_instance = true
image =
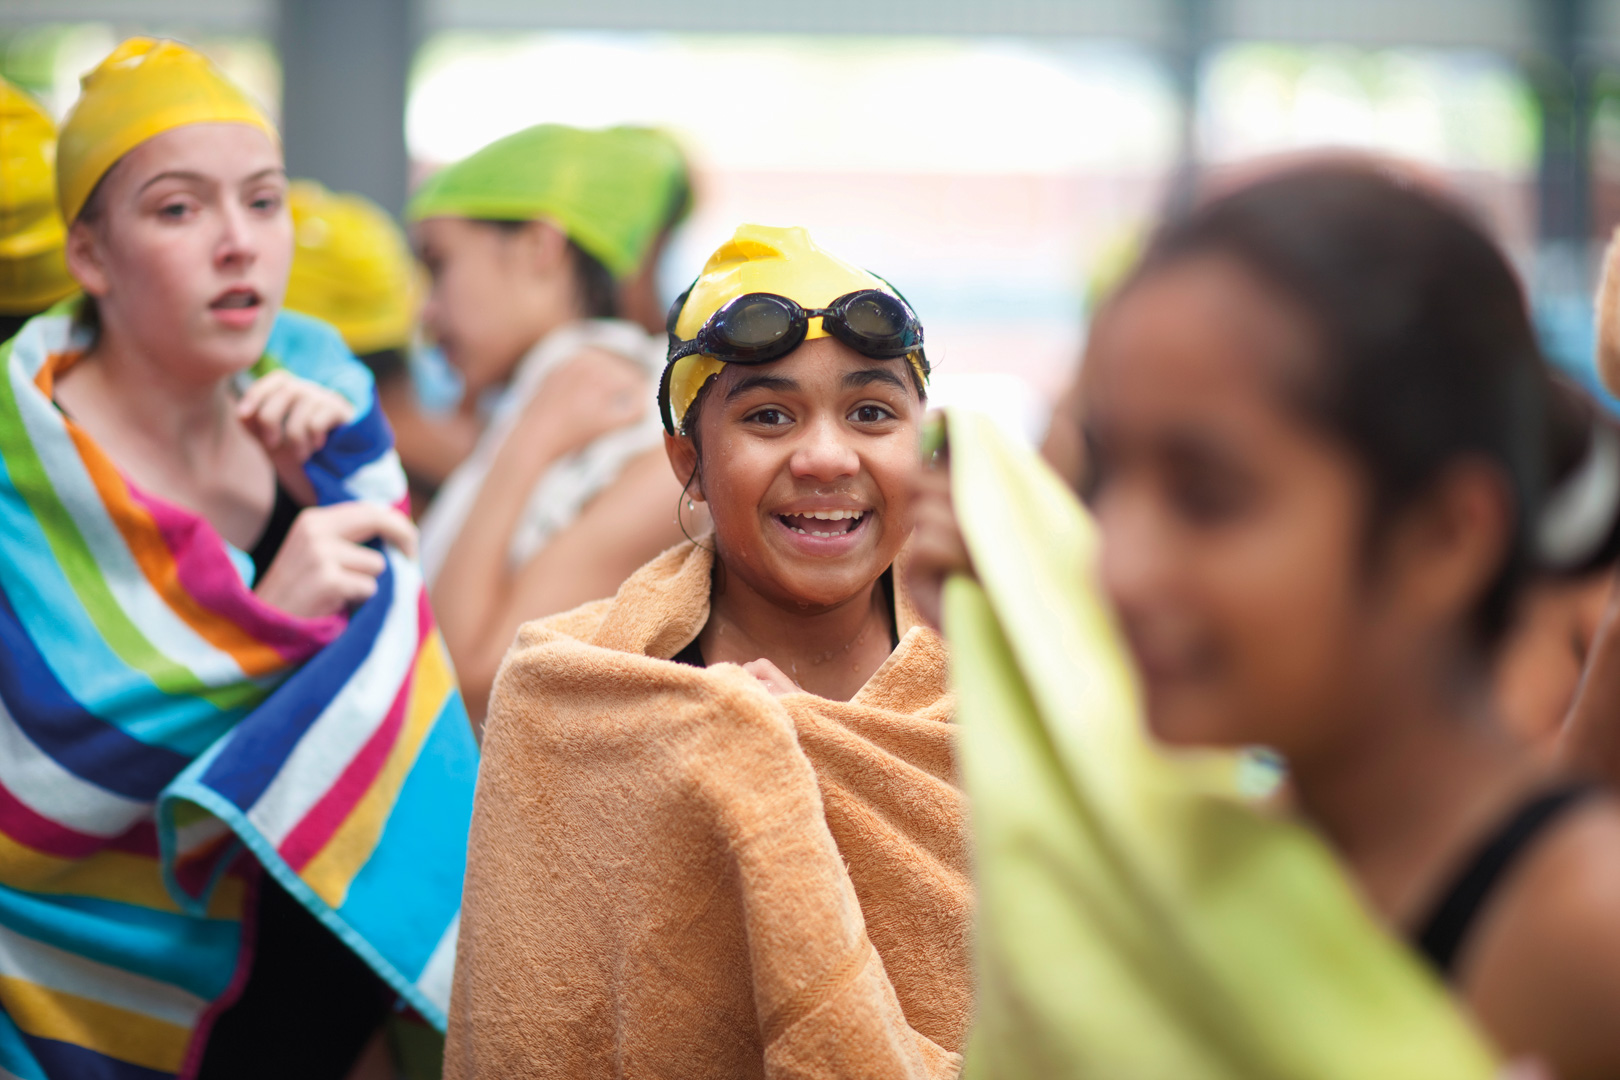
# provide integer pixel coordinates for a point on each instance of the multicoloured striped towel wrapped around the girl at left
(163, 734)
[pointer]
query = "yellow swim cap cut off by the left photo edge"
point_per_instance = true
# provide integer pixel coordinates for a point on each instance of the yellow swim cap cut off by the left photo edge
(33, 273)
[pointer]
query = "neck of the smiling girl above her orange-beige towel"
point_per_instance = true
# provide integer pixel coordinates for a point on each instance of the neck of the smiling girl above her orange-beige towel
(830, 653)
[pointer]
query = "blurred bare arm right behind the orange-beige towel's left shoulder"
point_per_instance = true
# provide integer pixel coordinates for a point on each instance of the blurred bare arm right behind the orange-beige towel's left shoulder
(616, 534)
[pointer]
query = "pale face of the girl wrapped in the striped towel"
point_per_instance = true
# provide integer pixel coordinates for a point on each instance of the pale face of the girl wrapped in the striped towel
(189, 245)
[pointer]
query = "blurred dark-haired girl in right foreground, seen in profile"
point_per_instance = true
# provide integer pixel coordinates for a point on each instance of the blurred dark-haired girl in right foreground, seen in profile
(1315, 428)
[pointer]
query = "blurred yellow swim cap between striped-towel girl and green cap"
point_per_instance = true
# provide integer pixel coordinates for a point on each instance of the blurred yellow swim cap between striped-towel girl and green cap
(352, 268)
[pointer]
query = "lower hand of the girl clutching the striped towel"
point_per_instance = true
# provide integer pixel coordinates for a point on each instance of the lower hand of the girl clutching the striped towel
(325, 566)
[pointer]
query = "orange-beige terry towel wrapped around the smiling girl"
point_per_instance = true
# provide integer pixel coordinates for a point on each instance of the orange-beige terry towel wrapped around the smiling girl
(676, 875)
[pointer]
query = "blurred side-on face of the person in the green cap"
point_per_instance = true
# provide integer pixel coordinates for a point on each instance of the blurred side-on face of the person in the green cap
(482, 305)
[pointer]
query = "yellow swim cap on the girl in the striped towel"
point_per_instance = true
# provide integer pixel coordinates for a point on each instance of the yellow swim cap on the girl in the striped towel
(143, 88)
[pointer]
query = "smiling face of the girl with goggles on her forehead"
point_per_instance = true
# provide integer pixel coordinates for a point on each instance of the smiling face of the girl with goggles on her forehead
(806, 469)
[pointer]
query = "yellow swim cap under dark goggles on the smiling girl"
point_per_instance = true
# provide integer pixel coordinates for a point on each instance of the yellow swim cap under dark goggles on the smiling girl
(761, 260)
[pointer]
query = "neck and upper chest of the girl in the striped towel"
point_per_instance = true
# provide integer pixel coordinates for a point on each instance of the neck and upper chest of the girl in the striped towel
(171, 410)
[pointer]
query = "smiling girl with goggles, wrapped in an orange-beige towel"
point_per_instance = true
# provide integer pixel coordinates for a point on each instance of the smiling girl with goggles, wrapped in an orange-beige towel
(718, 830)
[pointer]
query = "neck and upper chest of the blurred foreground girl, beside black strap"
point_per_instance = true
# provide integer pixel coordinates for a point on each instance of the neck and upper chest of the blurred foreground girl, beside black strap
(1402, 801)
